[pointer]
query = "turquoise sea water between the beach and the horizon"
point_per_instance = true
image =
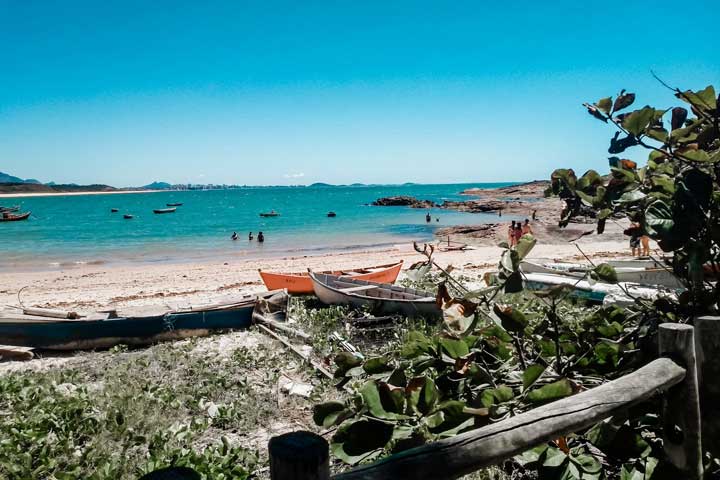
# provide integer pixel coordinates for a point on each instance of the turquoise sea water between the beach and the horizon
(80, 229)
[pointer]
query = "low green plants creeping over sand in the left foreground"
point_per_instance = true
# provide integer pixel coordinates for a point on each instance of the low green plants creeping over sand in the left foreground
(118, 415)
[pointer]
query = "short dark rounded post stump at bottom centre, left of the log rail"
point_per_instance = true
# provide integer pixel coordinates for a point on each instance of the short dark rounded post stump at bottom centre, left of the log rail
(299, 456)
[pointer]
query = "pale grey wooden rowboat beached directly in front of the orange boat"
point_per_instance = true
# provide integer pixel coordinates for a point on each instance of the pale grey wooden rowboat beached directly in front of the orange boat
(381, 298)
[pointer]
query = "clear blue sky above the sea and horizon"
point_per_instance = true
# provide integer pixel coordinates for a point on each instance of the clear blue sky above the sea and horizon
(297, 92)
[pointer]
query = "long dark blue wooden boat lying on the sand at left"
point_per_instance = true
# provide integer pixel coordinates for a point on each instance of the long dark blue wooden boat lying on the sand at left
(141, 326)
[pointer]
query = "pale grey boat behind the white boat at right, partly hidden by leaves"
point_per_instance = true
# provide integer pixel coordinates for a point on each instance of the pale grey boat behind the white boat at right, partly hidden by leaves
(640, 275)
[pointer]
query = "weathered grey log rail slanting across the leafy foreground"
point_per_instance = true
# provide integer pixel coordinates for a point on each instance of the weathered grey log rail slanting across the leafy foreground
(465, 453)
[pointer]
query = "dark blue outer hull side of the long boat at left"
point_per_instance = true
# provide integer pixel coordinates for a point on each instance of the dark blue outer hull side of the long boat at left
(79, 335)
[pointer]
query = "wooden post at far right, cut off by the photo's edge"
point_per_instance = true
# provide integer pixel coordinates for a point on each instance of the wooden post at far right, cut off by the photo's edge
(707, 348)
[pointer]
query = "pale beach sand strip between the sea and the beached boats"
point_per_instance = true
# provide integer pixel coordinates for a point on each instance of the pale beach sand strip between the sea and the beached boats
(90, 287)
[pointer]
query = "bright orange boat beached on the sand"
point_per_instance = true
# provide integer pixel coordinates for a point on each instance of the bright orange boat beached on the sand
(300, 283)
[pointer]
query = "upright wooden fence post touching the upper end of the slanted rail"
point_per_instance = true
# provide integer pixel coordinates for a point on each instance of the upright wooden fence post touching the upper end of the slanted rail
(681, 404)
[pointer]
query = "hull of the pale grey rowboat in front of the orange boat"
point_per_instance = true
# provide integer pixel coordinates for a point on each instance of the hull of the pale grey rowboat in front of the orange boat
(424, 306)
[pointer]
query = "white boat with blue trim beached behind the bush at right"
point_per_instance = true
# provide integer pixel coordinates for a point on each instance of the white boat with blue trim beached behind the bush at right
(607, 293)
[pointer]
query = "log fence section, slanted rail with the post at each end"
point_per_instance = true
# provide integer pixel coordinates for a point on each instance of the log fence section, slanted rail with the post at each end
(465, 453)
